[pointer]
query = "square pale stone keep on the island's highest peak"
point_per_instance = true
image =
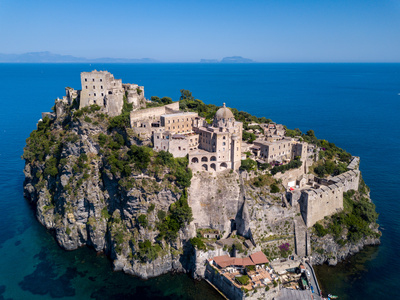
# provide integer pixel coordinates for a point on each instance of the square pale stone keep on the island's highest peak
(101, 88)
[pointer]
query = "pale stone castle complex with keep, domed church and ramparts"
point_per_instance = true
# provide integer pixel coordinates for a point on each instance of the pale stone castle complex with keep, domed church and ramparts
(218, 146)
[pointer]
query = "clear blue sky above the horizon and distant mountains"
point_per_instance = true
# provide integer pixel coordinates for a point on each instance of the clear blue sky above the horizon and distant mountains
(187, 31)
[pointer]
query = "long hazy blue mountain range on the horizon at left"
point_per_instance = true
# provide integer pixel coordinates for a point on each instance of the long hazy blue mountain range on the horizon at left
(48, 57)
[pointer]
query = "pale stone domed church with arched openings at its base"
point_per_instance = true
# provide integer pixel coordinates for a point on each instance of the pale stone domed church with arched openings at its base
(219, 143)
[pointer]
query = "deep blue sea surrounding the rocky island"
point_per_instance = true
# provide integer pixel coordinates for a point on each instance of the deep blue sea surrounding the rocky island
(356, 106)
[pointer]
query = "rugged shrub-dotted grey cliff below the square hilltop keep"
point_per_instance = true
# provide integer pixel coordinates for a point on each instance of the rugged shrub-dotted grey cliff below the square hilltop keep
(85, 189)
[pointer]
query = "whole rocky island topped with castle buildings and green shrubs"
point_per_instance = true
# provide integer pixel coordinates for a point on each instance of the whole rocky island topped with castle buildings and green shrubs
(162, 186)
